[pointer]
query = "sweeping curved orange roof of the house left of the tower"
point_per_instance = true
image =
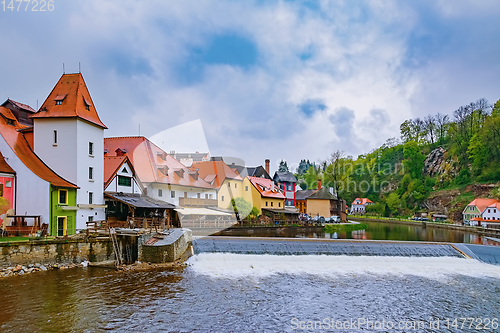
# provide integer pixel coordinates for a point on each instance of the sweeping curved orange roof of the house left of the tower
(19, 145)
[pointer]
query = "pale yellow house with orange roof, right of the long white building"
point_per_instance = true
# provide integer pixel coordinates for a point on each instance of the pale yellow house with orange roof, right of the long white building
(228, 182)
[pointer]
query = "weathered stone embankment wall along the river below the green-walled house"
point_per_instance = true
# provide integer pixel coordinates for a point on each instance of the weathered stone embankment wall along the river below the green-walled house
(55, 252)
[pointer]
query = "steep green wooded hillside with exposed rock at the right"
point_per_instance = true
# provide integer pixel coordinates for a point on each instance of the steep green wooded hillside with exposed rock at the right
(439, 165)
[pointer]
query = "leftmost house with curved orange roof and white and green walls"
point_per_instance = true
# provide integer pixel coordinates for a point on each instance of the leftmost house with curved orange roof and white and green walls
(37, 192)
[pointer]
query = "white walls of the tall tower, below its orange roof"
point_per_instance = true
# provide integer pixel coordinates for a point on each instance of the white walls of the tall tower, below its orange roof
(69, 156)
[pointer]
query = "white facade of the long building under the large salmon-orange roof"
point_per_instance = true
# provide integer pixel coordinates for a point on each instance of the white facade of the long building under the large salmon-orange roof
(153, 191)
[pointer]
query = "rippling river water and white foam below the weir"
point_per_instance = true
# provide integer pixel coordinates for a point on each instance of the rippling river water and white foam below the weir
(249, 293)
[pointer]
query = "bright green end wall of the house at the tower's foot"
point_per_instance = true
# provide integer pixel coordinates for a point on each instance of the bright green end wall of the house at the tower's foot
(56, 211)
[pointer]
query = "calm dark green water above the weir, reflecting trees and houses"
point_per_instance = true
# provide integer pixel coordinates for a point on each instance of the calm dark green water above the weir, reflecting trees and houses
(376, 231)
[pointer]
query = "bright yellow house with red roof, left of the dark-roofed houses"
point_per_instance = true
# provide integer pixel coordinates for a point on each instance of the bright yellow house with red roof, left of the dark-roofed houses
(262, 193)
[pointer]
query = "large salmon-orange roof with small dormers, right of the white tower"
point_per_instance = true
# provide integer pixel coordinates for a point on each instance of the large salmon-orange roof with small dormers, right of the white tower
(151, 163)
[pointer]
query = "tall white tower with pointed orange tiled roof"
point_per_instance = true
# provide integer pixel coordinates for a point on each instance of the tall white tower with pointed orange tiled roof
(69, 138)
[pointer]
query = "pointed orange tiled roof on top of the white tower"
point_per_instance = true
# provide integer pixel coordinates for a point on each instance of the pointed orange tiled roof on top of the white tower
(71, 88)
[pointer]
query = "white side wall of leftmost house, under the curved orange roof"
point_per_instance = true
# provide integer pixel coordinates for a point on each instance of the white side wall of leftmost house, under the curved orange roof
(31, 189)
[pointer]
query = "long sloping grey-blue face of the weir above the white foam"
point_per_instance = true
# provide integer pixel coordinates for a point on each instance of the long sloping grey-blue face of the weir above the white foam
(274, 246)
